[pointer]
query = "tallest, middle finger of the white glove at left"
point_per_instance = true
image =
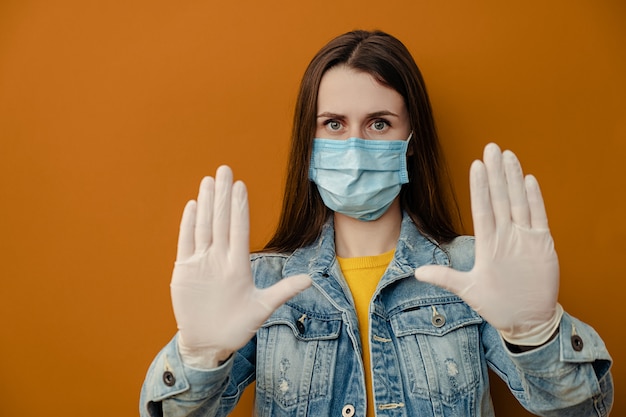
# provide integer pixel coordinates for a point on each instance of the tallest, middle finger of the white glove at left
(221, 212)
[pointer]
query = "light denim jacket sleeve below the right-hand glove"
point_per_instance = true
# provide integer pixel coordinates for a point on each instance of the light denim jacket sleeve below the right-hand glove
(569, 376)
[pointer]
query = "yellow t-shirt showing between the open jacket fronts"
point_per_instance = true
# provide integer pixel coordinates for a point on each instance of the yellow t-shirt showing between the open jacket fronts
(362, 275)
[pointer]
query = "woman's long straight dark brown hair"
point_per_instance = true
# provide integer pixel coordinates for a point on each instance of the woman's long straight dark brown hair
(428, 197)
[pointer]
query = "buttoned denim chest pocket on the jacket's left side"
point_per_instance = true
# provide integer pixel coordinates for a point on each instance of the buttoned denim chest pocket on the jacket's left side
(296, 355)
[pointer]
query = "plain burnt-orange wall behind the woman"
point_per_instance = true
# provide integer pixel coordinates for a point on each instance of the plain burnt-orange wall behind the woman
(111, 112)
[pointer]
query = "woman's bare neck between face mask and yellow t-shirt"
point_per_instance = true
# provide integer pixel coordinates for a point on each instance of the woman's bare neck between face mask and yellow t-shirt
(355, 238)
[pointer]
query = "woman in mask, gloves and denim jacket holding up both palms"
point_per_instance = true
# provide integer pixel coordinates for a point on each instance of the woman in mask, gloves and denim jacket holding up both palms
(330, 319)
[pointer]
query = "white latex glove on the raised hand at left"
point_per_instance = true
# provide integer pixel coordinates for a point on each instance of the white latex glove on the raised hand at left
(217, 306)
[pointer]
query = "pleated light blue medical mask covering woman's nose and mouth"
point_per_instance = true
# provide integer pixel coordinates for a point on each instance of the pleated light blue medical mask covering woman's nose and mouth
(357, 177)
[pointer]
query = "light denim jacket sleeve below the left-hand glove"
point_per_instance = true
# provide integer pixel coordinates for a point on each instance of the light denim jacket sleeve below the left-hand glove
(174, 389)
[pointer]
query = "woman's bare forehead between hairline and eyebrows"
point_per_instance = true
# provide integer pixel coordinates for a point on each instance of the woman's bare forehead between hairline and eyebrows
(344, 90)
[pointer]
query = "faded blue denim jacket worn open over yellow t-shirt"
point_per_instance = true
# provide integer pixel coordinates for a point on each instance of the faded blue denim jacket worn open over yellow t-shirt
(430, 351)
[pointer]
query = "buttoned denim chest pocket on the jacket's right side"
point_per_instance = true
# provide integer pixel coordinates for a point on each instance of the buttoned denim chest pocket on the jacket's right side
(439, 345)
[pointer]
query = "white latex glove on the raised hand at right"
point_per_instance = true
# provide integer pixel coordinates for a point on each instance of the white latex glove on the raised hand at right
(515, 280)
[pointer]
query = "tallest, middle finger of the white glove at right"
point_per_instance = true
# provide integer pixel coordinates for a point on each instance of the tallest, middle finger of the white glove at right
(498, 189)
